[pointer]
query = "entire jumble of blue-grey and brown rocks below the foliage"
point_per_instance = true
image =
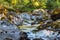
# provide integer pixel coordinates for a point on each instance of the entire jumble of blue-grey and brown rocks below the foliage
(49, 28)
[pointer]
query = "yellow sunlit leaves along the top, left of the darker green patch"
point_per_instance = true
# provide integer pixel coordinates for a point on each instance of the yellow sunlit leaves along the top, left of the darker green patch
(24, 4)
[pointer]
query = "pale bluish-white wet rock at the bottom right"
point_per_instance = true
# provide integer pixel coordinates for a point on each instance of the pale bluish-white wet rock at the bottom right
(43, 34)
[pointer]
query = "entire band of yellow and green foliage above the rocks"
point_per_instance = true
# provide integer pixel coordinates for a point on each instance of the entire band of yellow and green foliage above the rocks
(29, 5)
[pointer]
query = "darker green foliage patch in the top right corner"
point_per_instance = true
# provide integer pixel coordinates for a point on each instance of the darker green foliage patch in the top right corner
(51, 4)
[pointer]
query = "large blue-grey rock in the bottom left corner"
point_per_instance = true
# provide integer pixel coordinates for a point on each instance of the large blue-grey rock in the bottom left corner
(8, 31)
